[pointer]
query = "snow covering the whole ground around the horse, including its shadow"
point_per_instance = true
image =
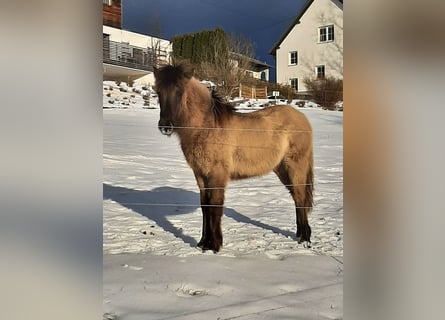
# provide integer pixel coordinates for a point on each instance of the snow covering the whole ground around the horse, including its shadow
(152, 222)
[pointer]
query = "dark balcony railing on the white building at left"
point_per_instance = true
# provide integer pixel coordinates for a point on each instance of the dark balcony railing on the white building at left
(126, 55)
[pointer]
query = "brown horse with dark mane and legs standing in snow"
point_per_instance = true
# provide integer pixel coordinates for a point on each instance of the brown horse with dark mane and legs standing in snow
(221, 145)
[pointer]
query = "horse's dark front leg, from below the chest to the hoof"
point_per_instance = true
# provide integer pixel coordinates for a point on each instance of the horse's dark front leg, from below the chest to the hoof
(213, 211)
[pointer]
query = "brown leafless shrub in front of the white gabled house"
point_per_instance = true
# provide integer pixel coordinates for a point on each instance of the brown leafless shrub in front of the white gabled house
(326, 92)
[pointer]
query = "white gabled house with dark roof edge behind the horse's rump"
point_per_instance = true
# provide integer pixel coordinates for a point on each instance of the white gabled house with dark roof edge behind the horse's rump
(312, 46)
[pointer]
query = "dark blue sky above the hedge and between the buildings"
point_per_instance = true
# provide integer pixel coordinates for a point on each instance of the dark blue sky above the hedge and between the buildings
(261, 21)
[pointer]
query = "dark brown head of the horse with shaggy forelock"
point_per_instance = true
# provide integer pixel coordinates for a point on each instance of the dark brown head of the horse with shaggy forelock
(170, 84)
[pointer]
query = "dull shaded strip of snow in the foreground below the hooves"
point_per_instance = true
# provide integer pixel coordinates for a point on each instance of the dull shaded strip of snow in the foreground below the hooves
(216, 287)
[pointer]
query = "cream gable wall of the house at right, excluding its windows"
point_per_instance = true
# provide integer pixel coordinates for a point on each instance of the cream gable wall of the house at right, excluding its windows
(303, 38)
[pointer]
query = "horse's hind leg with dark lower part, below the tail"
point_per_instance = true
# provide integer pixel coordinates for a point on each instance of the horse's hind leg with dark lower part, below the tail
(299, 184)
